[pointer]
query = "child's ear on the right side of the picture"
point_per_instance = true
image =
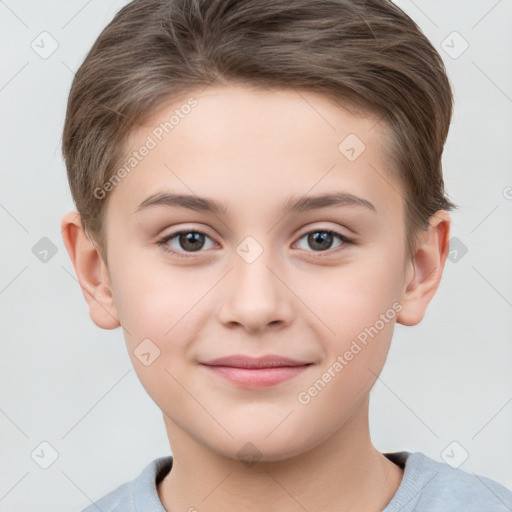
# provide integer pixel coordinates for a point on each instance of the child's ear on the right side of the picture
(425, 269)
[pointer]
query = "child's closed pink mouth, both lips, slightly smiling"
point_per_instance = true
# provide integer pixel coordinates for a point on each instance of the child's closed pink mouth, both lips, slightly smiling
(255, 372)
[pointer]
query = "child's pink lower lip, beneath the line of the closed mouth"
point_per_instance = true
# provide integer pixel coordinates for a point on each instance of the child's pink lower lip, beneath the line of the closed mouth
(257, 377)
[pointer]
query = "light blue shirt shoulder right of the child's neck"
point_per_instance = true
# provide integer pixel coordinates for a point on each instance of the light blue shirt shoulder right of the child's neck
(429, 485)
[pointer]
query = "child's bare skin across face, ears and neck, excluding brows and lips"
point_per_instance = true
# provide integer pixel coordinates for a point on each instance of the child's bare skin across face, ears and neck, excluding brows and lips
(252, 150)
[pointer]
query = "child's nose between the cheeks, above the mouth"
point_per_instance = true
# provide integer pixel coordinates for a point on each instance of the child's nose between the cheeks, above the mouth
(255, 296)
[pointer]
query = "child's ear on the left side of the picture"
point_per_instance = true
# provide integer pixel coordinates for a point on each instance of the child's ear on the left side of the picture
(91, 271)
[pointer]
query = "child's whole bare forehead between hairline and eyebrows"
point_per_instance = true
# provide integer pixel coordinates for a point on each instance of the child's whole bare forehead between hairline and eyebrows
(240, 144)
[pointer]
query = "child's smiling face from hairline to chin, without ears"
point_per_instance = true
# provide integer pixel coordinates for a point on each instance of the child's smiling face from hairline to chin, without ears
(258, 285)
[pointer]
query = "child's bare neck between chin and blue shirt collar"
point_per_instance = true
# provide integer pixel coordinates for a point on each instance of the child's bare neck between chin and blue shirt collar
(345, 472)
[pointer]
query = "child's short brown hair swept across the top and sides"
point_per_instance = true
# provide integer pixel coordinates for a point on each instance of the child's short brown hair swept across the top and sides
(364, 53)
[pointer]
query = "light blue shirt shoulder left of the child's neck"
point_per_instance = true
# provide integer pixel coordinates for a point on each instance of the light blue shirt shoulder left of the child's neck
(137, 495)
